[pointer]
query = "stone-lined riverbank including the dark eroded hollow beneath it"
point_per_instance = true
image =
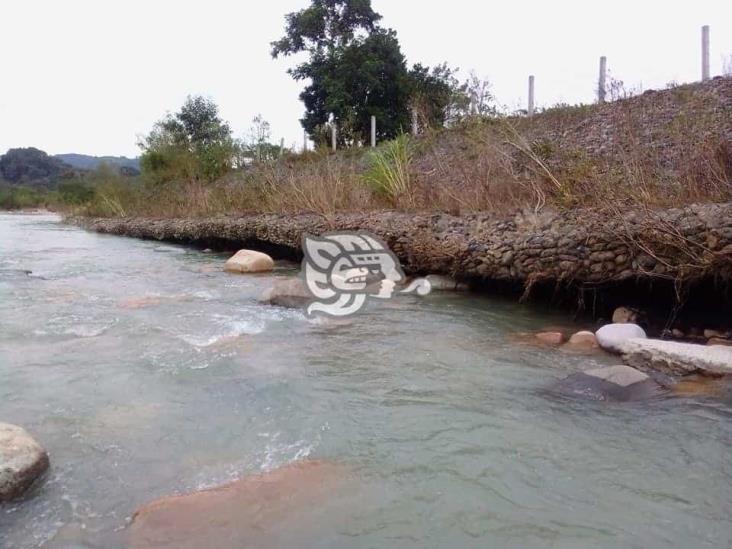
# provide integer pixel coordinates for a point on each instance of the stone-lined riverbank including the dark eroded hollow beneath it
(675, 262)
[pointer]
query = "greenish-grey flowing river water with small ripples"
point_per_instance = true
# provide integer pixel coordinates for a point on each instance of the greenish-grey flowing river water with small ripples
(147, 371)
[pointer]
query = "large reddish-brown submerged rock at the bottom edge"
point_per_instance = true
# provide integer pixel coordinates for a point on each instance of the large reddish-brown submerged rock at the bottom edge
(251, 512)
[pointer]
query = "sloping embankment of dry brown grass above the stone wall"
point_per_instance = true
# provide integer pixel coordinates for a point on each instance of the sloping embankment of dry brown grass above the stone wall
(652, 151)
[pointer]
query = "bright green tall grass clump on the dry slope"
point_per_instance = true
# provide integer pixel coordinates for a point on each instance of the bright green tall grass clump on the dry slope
(388, 170)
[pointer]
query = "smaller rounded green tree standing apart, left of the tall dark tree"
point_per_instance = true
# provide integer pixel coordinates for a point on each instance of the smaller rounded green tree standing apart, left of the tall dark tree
(193, 144)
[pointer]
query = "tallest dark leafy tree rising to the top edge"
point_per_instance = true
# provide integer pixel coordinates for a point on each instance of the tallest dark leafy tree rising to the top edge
(355, 70)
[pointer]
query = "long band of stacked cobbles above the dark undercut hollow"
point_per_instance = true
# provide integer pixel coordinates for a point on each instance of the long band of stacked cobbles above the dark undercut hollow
(579, 246)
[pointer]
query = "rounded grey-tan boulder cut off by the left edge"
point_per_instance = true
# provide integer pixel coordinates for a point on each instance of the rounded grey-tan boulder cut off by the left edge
(22, 461)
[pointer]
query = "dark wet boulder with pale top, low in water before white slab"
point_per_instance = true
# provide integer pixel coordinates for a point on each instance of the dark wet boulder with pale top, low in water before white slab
(620, 383)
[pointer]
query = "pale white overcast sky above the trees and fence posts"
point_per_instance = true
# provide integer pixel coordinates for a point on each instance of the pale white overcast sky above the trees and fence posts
(91, 76)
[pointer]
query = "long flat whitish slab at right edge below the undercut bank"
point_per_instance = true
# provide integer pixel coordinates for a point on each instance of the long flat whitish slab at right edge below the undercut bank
(674, 358)
